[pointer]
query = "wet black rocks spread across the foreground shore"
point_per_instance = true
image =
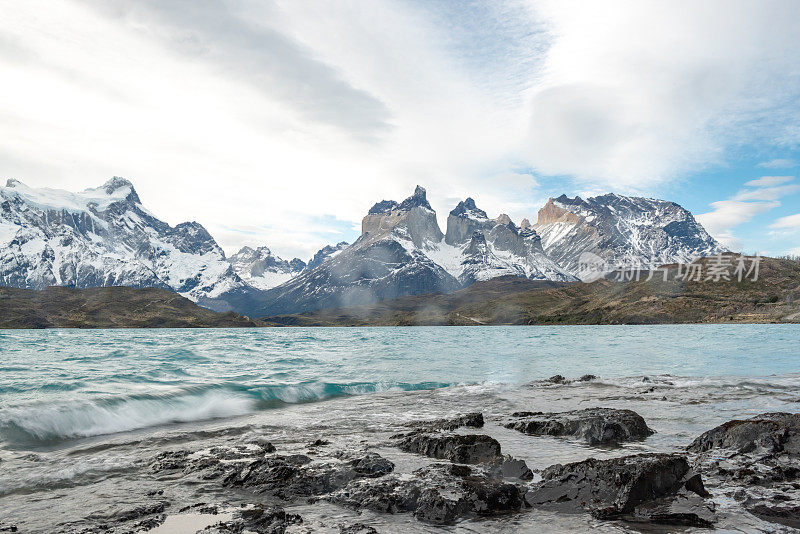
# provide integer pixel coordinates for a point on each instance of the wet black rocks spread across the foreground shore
(465, 475)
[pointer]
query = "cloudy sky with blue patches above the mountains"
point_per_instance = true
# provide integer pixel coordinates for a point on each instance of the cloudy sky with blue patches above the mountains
(280, 122)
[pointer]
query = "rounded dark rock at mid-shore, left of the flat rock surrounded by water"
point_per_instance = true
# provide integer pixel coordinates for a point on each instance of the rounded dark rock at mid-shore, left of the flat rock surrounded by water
(459, 448)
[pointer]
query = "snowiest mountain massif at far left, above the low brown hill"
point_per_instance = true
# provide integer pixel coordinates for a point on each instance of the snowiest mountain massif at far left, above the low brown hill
(104, 237)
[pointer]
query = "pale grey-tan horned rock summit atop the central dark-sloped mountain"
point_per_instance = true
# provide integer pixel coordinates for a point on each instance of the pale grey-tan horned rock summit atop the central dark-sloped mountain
(413, 219)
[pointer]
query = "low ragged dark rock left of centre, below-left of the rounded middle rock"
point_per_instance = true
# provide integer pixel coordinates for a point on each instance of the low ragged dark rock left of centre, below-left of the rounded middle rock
(296, 475)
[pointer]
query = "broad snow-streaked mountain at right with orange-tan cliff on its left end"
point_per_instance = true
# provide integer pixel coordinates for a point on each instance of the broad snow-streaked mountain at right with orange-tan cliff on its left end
(623, 231)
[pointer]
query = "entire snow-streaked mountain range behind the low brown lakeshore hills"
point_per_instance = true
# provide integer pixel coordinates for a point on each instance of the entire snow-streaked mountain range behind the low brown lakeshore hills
(104, 236)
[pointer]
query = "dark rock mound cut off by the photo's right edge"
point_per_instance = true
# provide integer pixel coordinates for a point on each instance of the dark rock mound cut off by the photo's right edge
(770, 433)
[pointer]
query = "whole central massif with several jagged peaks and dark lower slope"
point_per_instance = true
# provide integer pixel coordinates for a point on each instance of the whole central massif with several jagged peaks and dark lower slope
(402, 251)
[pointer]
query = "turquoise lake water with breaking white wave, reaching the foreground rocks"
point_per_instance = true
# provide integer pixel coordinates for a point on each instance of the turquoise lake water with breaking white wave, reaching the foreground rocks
(82, 411)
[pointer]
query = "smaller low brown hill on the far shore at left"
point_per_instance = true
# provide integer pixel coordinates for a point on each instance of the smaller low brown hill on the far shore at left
(107, 307)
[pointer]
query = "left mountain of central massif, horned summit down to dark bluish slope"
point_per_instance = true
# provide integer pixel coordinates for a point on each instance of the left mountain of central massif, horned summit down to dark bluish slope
(387, 261)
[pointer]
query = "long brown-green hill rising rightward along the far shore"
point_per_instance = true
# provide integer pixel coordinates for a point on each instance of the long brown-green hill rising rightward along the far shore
(773, 297)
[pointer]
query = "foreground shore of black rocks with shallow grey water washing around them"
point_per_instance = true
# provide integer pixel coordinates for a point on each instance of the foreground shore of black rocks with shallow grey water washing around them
(498, 470)
